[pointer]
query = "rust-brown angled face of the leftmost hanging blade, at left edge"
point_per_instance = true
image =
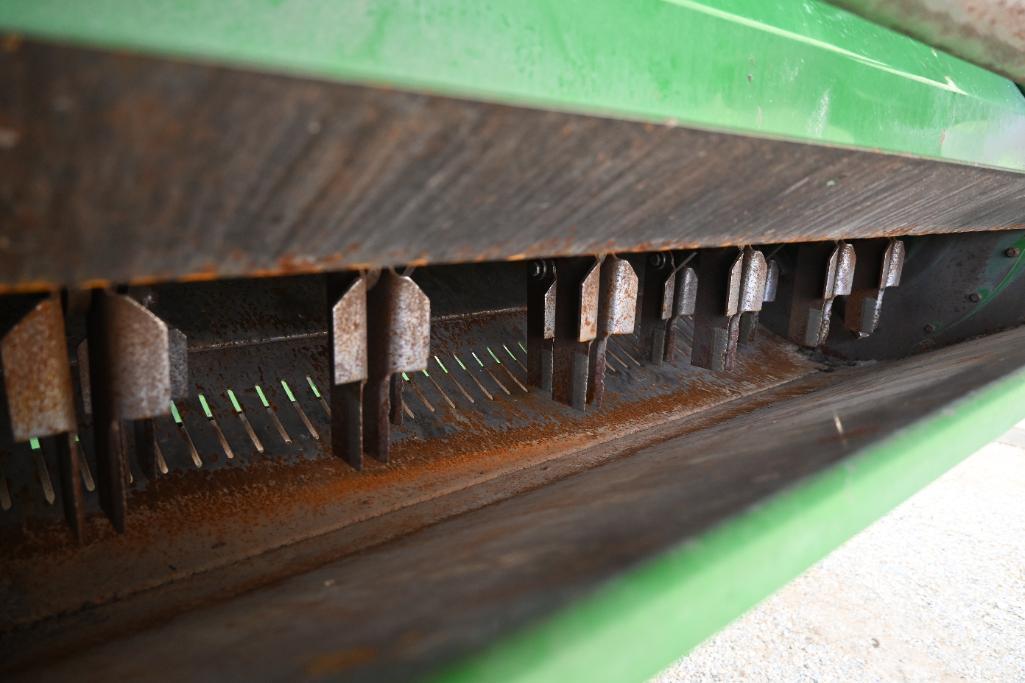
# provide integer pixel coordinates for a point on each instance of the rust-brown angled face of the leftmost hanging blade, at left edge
(37, 374)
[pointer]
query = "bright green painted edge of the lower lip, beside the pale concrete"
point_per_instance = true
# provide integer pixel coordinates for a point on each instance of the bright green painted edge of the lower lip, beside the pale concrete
(640, 623)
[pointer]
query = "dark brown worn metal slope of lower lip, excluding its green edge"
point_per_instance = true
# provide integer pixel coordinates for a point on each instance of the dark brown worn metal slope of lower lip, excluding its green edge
(376, 616)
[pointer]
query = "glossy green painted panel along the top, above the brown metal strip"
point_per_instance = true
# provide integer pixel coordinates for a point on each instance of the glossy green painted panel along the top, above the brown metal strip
(800, 70)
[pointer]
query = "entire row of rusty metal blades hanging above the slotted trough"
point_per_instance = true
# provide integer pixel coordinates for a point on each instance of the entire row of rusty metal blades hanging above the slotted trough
(135, 365)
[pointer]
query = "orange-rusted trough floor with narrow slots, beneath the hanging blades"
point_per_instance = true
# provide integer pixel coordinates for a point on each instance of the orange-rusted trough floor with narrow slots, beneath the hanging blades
(258, 502)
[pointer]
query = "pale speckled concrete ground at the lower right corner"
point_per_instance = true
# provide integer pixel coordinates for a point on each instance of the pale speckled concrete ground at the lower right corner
(933, 592)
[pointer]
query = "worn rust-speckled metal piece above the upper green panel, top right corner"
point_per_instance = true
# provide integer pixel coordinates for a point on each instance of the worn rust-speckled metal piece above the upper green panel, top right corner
(990, 33)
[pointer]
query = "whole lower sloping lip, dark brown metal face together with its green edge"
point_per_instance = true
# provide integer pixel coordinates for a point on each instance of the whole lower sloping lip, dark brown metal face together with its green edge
(777, 504)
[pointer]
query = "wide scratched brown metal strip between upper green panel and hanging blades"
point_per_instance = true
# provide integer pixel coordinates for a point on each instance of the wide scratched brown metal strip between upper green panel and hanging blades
(335, 177)
